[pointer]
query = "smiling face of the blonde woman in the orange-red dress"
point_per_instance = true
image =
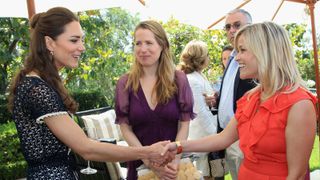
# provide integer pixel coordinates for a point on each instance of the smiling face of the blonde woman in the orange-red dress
(248, 63)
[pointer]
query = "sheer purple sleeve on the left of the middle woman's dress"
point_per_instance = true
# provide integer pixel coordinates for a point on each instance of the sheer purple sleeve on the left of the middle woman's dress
(122, 101)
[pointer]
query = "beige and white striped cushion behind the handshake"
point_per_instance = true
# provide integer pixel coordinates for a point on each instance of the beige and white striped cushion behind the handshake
(104, 123)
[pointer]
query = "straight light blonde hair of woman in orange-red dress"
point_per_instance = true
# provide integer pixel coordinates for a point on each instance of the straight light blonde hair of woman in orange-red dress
(272, 48)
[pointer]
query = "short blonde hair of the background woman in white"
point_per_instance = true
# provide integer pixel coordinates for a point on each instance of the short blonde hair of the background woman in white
(194, 56)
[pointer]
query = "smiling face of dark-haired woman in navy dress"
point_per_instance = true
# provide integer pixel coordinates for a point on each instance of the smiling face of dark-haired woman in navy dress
(68, 46)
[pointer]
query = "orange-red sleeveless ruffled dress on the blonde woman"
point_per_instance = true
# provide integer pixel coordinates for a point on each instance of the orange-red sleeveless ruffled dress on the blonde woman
(261, 130)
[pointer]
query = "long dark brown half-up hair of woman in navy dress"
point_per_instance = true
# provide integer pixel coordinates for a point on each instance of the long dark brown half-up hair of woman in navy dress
(51, 23)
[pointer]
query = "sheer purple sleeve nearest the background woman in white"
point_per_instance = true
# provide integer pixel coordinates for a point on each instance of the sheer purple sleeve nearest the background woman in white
(185, 97)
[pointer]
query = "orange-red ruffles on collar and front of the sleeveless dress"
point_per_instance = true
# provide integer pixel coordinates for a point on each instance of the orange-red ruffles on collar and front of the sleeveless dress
(248, 105)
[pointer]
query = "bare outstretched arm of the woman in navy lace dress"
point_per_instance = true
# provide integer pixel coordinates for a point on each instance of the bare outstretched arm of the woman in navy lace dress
(66, 130)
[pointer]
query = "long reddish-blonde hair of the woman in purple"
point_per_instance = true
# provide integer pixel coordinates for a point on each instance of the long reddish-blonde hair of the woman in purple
(165, 87)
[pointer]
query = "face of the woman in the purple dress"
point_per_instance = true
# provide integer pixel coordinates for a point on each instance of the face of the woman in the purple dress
(146, 49)
